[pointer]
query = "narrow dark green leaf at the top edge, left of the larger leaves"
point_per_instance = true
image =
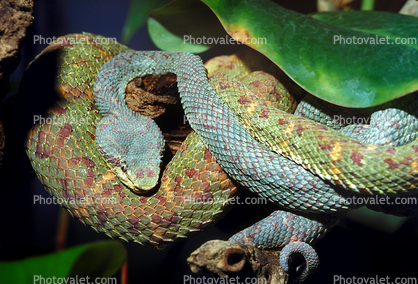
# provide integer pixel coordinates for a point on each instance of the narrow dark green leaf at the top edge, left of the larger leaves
(138, 11)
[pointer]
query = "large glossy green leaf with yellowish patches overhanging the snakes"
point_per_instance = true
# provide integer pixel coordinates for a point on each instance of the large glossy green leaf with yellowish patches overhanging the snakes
(306, 49)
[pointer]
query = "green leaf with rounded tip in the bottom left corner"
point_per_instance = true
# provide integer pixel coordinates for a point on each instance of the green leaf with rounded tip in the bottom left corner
(101, 259)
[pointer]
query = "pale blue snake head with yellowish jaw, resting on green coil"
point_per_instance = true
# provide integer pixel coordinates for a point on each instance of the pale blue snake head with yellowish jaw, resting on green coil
(132, 149)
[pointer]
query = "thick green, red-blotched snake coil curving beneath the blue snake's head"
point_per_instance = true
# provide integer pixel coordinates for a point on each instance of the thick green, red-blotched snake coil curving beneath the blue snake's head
(194, 190)
